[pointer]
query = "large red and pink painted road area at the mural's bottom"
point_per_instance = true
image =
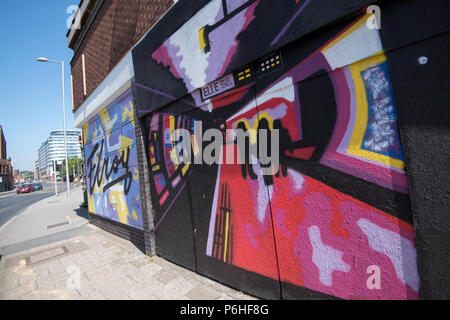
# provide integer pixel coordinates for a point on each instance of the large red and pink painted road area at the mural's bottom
(313, 204)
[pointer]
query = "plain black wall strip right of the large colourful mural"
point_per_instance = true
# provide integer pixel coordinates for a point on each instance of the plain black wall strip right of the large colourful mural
(420, 71)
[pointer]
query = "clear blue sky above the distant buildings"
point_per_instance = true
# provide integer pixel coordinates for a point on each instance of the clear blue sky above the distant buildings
(30, 92)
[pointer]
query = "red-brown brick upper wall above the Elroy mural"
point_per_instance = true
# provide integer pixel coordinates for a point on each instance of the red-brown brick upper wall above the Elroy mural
(118, 26)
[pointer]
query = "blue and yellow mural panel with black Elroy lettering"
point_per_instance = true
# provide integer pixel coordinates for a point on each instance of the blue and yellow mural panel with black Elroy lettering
(111, 163)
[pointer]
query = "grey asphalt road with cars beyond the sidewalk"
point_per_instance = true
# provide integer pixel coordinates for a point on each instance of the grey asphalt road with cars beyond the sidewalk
(12, 204)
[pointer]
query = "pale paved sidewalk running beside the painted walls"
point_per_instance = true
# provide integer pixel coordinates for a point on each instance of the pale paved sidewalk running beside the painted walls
(51, 252)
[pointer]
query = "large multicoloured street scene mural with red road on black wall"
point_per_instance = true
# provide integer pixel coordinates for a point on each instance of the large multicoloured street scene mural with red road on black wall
(338, 203)
